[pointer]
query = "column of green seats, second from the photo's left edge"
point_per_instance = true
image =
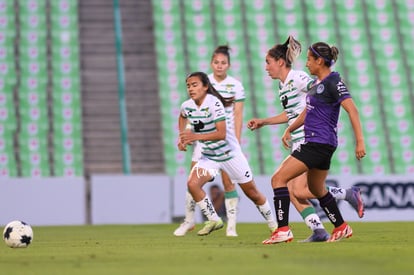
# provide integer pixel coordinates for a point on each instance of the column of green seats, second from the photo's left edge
(32, 89)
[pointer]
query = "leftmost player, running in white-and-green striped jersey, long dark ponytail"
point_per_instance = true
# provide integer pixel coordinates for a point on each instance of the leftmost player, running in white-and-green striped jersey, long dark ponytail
(205, 111)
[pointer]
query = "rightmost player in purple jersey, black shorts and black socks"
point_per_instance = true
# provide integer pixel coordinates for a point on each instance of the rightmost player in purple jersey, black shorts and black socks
(320, 118)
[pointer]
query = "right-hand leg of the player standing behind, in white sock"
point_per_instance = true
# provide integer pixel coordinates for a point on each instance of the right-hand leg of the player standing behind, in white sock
(231, 201)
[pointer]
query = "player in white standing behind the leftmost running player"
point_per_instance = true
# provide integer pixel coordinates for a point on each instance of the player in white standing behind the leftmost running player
(228, 87)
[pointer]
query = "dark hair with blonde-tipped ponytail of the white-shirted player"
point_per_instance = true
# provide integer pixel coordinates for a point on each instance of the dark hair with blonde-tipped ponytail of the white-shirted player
(287, 51)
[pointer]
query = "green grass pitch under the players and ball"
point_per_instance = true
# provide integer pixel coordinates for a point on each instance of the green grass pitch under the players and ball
(375, 248)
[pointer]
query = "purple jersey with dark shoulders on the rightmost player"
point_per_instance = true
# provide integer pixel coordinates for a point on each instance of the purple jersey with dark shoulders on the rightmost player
(323, 103)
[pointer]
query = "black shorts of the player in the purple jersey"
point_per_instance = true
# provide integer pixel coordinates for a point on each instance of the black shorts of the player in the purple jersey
(315, 155)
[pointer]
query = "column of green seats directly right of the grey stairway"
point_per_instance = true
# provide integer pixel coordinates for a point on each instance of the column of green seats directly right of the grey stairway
(171, 75)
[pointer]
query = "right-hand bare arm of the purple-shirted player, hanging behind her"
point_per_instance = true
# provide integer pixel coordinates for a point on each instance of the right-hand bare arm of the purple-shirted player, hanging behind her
(349, 106)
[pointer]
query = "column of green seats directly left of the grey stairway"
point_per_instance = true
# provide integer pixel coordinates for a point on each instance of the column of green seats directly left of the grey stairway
(67, 129)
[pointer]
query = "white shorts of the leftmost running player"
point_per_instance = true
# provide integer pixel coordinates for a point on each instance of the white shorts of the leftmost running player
(237, 168)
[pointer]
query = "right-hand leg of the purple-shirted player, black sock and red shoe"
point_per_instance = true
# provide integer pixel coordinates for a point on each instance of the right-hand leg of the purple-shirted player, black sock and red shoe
(316, 182)
